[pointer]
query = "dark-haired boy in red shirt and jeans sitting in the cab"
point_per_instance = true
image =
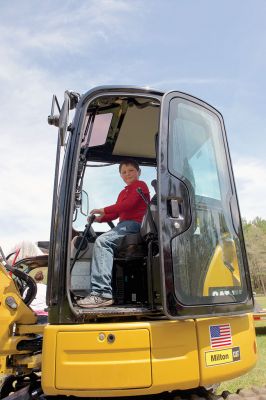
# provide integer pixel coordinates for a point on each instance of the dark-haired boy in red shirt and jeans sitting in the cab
(130, 208)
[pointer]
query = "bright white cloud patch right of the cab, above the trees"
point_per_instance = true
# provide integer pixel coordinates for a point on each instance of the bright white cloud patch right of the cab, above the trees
(250, 176)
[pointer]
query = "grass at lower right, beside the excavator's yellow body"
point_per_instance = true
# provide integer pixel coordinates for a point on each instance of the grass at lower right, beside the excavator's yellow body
(257, 376)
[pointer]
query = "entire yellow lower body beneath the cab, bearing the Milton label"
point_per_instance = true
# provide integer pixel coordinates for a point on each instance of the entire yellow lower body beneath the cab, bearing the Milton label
(138, 358)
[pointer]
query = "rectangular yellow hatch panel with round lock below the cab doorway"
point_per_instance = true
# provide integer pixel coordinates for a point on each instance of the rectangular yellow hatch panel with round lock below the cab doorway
(84, 358)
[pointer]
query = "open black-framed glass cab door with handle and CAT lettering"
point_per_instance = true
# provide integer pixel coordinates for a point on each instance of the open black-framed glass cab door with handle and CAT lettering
(203, 259)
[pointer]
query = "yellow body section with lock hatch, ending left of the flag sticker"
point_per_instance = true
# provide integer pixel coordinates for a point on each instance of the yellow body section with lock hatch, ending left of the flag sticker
(145, 358)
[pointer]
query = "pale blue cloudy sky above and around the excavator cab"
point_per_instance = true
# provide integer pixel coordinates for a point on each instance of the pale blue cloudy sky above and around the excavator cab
(215, 50)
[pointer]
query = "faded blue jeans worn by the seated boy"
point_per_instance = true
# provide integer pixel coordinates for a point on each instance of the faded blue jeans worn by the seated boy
(103, 255)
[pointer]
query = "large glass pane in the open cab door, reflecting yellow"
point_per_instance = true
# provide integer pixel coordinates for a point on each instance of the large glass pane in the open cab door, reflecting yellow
(207, 260)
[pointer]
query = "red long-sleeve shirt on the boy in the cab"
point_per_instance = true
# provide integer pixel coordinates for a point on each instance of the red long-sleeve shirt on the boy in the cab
(129, 204)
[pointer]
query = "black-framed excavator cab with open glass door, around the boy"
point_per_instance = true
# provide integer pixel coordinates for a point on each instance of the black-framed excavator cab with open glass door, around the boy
(190, 253)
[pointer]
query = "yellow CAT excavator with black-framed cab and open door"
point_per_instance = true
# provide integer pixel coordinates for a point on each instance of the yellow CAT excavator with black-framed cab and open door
(181, 321)
